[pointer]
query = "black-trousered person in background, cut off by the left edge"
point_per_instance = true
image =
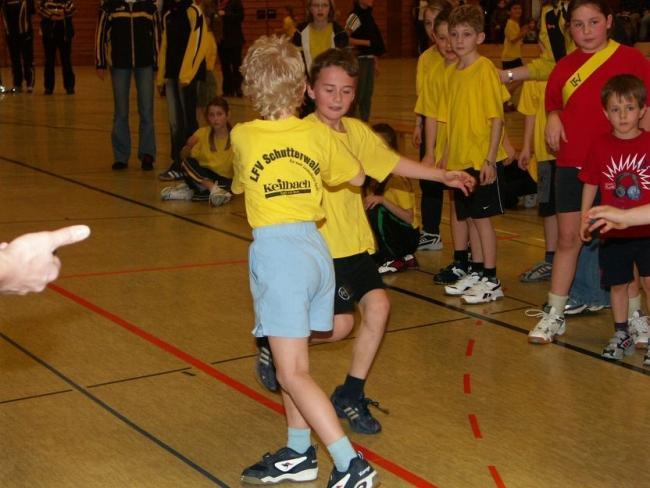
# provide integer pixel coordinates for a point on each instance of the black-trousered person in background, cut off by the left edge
(17, 16)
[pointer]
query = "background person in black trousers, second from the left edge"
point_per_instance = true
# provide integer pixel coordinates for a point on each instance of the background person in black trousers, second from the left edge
(58, 31)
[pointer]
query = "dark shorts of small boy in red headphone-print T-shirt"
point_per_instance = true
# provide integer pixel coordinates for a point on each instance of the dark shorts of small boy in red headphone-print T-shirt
(617, 258)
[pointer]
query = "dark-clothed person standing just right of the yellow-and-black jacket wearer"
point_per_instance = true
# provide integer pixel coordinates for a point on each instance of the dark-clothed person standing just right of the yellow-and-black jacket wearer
(230, 46)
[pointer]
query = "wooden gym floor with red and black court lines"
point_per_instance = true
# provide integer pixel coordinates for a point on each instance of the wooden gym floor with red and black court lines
(135, 369)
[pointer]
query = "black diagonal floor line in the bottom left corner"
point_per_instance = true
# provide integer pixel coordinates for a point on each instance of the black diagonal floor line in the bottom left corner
(116, 414)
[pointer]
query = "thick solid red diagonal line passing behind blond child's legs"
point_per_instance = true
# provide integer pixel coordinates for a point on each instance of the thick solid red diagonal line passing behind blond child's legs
(389, 466)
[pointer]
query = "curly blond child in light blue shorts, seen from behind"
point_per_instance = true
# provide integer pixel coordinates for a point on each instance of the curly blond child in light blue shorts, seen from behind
(281, 162)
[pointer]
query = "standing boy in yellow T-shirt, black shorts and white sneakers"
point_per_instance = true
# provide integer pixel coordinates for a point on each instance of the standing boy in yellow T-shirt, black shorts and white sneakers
(472, 110)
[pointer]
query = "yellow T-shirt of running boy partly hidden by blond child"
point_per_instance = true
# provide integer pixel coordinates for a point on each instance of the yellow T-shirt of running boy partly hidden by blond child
(346, 229)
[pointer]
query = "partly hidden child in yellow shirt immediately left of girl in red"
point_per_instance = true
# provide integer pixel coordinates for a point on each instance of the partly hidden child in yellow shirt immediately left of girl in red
(531, 104)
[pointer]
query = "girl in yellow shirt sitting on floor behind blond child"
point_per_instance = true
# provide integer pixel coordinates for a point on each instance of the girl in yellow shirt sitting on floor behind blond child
(206, 163)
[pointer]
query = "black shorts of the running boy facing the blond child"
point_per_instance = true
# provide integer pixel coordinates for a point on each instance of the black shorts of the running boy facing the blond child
(355, 276)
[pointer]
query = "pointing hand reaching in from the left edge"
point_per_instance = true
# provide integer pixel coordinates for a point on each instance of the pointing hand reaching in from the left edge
(28, 263)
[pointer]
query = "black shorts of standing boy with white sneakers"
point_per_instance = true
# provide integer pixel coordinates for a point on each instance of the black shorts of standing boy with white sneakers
(483, 202)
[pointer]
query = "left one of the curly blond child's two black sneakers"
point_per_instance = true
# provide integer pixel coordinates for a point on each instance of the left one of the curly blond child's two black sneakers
(284, 465)
